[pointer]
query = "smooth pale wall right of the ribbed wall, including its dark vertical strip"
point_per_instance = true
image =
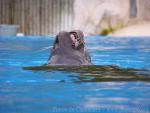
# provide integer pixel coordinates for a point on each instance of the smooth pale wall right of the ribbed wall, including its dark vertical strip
(94, 15)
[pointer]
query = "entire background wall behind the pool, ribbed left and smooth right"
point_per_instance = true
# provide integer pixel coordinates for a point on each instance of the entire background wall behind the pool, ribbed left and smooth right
(43, 17)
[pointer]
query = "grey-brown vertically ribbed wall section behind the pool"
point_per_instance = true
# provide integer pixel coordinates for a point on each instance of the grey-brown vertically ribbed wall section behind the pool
(38, 17)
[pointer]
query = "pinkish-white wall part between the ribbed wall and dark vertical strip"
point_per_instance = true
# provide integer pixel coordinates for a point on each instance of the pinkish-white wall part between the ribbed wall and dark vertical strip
(90, 13)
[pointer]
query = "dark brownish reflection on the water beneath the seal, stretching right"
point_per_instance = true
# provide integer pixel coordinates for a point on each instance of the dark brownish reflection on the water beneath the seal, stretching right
(100, 73)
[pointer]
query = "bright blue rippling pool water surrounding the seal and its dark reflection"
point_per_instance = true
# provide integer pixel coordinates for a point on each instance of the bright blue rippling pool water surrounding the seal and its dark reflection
(24, 91)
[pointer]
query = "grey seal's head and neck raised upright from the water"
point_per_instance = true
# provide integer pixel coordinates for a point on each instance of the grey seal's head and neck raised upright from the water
(69, 50)
